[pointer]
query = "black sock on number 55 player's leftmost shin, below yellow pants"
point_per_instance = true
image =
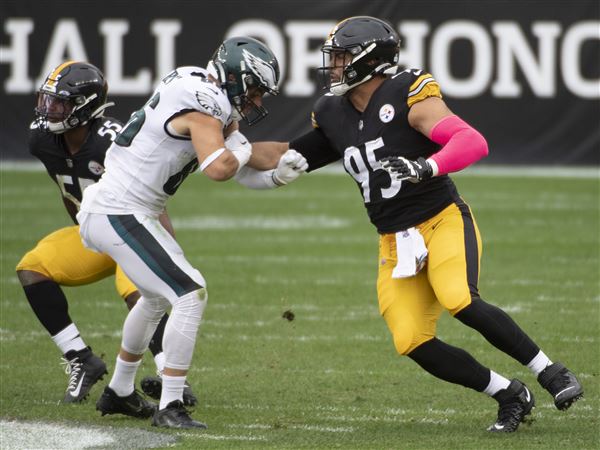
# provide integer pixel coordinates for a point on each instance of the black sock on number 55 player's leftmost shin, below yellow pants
(49, 305)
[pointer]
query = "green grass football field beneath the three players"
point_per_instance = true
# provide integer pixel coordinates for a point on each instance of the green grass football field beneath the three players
(330, 378)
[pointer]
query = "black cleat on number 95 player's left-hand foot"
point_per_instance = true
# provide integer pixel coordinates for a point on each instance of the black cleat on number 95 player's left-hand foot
(516, 401)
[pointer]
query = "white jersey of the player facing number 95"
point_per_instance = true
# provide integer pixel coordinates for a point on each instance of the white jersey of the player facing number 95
(148, 160)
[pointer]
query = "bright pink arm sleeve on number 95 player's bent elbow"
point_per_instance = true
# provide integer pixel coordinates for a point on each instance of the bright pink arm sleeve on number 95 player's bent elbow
(462, 145)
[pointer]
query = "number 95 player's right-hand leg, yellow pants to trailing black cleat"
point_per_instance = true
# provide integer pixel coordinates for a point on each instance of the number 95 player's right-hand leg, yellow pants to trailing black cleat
(454, 272)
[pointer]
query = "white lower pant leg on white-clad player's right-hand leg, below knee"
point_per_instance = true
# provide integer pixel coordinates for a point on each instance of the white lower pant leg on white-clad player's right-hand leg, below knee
(181, 329)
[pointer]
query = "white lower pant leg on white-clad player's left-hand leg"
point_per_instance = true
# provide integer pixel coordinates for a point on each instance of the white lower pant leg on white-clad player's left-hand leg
(141, 322)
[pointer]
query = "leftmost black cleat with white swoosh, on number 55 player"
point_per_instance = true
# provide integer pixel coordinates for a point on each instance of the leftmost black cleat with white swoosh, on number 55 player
(84, 369)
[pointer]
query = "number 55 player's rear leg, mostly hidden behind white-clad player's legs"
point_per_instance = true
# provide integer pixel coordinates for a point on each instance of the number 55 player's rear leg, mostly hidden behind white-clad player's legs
(151, 385)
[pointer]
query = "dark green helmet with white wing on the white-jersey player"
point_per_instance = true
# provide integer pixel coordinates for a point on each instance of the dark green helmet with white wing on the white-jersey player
(241, 63)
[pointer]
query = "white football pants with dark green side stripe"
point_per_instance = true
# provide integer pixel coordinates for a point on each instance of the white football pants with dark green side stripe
(155, 263)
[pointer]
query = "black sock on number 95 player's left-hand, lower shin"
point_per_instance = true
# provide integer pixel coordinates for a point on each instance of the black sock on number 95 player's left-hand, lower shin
(451, 364)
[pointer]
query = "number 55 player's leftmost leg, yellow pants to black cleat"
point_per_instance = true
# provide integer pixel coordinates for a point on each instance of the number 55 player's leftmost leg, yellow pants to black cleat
(60, 259)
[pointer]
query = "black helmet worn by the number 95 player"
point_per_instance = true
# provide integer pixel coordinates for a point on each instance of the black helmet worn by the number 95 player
(371, 46)
